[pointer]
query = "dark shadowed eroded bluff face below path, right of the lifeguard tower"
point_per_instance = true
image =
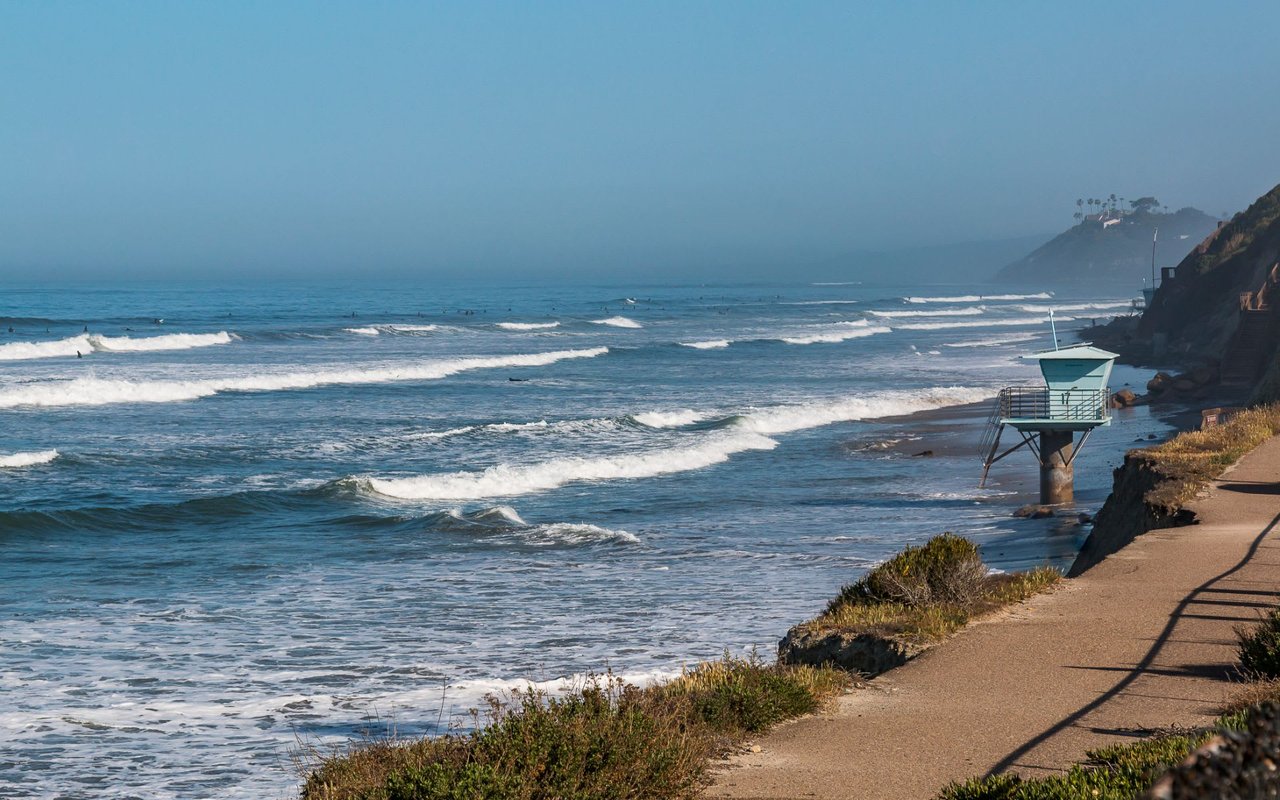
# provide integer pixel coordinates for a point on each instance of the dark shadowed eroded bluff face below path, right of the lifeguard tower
(1130, 511)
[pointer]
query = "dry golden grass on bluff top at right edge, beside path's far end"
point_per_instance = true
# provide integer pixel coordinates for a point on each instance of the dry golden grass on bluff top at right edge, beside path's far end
(1191, 460)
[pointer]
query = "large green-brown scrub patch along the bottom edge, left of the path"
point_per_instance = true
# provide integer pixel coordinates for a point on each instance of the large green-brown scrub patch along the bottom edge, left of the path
(604, 739)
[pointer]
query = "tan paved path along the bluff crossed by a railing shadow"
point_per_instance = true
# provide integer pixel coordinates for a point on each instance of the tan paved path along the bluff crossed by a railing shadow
(1144, 641)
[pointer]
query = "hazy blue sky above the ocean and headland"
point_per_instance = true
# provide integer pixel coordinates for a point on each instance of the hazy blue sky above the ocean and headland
(195, 139)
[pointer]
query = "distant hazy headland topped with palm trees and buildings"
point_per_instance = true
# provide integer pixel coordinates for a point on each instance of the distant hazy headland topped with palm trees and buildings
(1108, 249)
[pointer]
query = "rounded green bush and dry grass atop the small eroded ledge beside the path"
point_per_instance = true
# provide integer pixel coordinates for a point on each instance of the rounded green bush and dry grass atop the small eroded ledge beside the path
(927, 593)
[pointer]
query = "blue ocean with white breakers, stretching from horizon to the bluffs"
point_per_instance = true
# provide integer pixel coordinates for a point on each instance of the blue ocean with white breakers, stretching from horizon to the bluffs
(240, 522)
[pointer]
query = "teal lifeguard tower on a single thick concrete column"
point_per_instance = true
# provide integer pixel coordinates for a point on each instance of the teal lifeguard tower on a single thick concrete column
(1073, 400)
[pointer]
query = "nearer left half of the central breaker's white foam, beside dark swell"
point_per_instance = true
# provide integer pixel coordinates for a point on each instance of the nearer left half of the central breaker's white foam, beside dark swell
(513, 481)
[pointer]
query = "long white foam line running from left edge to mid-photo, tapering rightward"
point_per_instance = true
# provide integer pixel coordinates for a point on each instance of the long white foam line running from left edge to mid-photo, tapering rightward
(100, 392)
